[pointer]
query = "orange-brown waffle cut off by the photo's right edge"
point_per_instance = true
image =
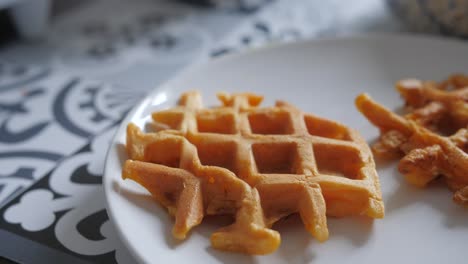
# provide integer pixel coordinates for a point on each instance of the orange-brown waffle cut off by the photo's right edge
(432, 137)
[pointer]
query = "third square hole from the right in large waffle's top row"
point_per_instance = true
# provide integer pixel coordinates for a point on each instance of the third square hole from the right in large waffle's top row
(212, 122)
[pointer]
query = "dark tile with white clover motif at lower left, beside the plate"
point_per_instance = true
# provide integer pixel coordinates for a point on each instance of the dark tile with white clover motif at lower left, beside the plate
(65, 211)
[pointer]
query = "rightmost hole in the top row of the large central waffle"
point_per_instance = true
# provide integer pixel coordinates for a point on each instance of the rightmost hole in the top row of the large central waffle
(325, 128)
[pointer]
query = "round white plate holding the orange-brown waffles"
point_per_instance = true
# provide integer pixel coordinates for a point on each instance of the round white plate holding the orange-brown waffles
(321, 77)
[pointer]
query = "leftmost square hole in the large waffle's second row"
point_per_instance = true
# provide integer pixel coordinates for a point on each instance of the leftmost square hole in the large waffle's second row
(165, 152)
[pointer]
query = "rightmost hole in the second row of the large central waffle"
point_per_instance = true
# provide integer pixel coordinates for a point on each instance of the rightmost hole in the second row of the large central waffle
(338, 160)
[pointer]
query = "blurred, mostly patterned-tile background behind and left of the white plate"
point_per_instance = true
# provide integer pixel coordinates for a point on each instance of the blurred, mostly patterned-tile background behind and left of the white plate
(70, 70)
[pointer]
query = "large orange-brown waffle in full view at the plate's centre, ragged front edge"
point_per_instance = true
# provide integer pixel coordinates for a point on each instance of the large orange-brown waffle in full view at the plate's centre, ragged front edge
(257, 164)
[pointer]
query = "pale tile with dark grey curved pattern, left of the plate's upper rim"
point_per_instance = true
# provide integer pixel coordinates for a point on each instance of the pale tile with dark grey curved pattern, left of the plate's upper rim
(46, 116)
